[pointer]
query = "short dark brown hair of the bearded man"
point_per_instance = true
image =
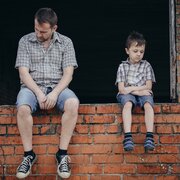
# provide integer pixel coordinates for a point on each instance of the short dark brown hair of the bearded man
(46, 15)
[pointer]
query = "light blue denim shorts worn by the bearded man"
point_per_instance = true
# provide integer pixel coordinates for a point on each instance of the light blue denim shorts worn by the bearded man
(27, 97)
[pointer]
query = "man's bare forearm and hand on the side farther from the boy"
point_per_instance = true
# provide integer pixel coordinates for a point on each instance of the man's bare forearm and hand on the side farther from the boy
(30, 83)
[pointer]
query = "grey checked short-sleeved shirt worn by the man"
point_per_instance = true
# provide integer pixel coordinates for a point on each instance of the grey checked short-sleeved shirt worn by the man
(45, 66)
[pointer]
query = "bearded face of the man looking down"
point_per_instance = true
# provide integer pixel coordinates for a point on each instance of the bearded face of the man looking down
(43, 31)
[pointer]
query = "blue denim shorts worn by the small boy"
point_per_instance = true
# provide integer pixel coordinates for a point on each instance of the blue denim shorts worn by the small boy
(136, 100)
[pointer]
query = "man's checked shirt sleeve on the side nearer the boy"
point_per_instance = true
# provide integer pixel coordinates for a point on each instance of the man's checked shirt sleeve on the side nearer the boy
(69, 58)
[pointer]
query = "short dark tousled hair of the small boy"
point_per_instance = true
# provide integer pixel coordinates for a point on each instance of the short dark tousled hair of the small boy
(135, 37)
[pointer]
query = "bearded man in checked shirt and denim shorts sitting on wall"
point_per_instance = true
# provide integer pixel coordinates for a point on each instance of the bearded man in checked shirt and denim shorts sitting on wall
(46, 61)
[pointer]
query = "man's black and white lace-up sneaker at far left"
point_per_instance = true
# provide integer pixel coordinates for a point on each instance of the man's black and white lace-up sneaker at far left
(24, 168)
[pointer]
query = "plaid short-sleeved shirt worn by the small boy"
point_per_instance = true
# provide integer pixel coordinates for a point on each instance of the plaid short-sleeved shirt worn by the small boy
(135, 74)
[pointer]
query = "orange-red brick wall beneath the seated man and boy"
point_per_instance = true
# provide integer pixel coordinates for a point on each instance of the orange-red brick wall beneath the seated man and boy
(96, 147)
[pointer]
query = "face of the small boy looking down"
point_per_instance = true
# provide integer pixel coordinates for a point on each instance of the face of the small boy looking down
(135, 52)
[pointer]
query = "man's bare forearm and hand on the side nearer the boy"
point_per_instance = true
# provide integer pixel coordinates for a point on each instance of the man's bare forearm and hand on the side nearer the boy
(63, 83)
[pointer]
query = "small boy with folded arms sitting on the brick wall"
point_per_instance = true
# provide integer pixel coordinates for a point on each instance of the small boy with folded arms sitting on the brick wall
(134, 78)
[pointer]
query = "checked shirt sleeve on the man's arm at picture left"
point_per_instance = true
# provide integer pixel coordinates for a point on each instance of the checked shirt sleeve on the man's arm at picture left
(22, 59)
